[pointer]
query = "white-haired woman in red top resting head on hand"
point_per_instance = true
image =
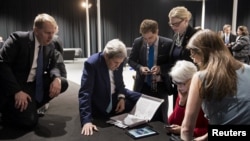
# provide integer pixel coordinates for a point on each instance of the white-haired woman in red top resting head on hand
(181, 74)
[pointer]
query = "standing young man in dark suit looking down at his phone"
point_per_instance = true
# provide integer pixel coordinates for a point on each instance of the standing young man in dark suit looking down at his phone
(139, 61)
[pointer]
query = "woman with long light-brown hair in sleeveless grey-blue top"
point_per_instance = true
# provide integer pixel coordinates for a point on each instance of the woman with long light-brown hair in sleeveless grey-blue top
(220, 87)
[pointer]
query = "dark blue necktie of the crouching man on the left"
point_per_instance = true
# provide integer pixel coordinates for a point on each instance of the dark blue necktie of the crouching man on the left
(39, 75)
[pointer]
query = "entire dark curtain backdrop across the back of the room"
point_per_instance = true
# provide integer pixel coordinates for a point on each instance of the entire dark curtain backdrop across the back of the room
(119, 18)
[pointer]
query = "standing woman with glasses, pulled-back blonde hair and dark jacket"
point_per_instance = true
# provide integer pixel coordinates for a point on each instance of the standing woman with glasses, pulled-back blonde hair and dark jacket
(179, 18)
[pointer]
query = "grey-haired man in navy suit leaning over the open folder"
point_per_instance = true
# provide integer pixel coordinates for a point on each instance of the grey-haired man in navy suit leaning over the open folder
(103, 93)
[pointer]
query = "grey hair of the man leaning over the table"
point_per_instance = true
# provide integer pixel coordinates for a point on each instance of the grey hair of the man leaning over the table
(115, 49)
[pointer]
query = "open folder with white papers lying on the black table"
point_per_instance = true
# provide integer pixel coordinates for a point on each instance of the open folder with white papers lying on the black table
(143, 112)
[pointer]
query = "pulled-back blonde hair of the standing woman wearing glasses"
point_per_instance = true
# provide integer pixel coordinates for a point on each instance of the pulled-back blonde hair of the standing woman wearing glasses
(180, 12)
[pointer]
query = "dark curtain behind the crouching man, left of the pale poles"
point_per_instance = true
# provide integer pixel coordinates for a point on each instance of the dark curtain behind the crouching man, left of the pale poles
(16, 15)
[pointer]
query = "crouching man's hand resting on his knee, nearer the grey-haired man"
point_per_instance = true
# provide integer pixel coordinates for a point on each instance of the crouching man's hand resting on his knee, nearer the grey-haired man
(55, 88)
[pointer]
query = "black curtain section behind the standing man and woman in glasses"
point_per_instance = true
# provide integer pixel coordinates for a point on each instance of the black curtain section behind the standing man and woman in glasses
(121, 18)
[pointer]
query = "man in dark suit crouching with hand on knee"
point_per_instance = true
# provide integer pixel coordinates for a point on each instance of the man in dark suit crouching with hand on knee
(18, 67)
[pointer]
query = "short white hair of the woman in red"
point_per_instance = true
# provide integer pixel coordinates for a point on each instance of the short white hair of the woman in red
(182, 71)
